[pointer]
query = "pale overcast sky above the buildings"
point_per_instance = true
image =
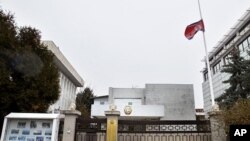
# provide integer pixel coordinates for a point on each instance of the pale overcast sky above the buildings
(130, 43)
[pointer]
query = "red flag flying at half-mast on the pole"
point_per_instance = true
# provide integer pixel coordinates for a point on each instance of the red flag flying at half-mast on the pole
(193, 28)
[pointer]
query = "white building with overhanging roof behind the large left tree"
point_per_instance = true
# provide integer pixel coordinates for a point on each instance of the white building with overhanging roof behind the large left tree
(69, 79)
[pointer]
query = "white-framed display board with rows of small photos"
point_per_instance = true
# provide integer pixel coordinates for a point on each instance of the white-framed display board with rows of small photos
(30, 127)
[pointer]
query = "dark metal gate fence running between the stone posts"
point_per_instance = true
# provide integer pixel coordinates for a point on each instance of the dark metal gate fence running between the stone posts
(132, 130)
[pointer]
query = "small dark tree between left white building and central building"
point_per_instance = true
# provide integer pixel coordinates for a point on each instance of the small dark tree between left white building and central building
(84, 100)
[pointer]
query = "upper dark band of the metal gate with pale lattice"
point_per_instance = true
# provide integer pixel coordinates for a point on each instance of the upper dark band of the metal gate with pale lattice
(164, 126)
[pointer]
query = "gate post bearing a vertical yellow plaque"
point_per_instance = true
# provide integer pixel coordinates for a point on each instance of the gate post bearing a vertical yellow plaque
(112, 124)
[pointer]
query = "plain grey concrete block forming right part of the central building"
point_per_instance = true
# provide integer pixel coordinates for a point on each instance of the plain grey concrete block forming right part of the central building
(178, 100)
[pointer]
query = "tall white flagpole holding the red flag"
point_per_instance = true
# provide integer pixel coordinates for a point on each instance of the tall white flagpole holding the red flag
(208, 65)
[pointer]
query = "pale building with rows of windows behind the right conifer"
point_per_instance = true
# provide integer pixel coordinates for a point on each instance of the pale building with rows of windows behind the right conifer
(237, 38)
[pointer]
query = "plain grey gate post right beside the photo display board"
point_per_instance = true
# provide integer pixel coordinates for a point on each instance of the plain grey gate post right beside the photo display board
(70, 124)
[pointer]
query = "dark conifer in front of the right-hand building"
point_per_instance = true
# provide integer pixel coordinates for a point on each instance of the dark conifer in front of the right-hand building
(236, 67)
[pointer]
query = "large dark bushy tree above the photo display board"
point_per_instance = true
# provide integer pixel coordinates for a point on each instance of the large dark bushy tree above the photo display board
(29, 79)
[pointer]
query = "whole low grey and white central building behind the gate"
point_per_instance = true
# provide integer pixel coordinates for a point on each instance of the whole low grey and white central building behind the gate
(154, 102)
